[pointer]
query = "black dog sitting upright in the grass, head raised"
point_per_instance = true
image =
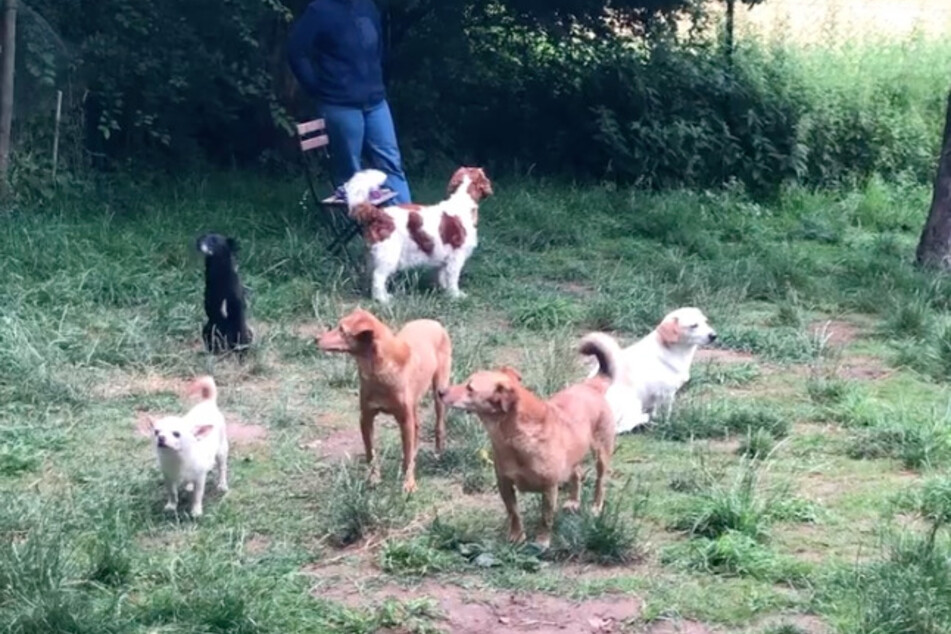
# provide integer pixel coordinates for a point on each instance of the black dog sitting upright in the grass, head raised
(226, 328)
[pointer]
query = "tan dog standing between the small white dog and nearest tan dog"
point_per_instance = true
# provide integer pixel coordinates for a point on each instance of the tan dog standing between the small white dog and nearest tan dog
(395, 372)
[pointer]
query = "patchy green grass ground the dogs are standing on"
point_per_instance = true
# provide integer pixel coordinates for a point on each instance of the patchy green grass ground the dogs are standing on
(769, 458)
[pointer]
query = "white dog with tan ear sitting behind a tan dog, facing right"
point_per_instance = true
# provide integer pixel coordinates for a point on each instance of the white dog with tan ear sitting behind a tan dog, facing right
(654, 368)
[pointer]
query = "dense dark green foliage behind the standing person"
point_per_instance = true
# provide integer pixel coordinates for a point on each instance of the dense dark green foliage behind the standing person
(557, 87)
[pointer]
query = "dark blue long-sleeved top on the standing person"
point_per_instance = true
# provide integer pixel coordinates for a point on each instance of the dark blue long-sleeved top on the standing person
(335, 50)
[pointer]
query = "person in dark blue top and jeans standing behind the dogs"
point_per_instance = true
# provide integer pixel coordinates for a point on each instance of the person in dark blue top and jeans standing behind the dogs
(335, 51)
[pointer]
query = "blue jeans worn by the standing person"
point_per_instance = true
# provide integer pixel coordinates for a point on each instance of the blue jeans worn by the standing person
(355, 131)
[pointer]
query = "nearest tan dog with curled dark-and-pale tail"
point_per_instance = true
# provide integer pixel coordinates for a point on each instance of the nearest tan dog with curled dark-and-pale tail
(536, 444)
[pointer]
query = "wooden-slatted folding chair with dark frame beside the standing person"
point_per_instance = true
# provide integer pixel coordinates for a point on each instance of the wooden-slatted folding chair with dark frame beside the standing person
(333, 210)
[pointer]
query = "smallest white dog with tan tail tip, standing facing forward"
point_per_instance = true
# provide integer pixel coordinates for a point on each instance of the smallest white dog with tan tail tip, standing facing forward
(189, 446)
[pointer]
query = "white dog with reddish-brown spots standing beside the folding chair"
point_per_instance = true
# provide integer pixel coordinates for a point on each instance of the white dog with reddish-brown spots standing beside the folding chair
(440, 236)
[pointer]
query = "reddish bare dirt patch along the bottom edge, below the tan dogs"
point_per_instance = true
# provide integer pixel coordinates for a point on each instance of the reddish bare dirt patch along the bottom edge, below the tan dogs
(476, 611)
